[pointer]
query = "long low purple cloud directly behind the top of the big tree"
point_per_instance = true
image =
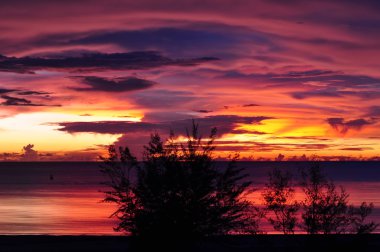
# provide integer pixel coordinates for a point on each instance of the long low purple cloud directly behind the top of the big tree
(136, 134)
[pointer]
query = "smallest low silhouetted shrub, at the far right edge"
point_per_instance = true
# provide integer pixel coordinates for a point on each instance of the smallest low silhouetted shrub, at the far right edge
(358, 219)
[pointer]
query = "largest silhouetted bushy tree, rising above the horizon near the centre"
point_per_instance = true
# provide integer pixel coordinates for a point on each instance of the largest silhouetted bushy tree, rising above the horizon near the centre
(177, 190)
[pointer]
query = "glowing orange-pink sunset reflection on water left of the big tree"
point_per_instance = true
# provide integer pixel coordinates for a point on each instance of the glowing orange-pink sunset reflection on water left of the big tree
(53, 209)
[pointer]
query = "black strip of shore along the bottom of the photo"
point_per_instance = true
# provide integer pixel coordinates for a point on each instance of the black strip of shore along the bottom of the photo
(271, 242)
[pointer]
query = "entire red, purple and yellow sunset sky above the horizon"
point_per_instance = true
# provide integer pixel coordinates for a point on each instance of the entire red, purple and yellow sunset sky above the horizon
(279, 79)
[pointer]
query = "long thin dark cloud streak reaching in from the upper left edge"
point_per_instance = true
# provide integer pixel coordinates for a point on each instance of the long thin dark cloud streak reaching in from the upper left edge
(95, 62)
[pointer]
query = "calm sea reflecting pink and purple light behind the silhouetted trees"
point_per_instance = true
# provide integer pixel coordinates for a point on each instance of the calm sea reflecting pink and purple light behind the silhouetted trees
(65, 198)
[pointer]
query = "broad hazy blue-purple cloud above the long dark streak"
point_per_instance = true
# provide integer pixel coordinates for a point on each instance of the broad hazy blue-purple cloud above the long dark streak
(191, 39)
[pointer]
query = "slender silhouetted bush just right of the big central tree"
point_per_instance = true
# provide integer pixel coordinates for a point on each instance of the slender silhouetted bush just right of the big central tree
(279, 199)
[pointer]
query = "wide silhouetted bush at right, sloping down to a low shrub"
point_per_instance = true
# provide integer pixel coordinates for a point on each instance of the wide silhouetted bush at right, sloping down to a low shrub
(326, 209)
